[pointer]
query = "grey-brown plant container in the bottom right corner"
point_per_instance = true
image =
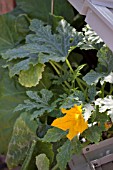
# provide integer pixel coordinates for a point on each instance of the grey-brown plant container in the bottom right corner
(94, 157)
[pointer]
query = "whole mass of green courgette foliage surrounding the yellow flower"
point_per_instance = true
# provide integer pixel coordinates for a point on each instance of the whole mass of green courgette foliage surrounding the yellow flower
(43, 53)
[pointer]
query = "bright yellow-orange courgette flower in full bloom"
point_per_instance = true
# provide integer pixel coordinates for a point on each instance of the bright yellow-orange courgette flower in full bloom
(72, 121)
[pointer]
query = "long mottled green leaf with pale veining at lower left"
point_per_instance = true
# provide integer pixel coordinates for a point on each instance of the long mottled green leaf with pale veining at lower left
(24, 132)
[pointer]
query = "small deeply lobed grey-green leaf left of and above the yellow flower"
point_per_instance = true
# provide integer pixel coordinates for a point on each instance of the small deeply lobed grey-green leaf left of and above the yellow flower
(40, 103)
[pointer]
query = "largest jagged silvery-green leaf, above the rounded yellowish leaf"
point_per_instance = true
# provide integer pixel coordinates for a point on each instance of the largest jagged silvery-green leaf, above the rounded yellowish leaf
(44, 45)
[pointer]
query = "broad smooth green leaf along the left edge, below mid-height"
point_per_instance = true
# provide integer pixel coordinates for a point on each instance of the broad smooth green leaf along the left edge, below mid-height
(11, 94)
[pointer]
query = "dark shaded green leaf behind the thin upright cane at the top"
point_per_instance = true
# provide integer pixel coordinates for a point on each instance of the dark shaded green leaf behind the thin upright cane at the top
(41, 8)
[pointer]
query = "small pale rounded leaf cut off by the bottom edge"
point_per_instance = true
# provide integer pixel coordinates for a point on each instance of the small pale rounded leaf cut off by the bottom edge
(42, 162)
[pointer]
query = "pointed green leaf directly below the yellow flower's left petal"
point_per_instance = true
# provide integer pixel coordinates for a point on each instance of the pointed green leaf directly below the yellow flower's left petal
(54, 135)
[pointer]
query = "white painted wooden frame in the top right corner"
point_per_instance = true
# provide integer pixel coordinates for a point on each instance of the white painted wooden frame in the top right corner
(99, 15)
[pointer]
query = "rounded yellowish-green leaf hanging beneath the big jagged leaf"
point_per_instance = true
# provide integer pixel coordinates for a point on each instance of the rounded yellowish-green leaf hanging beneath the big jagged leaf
(32, 76)
